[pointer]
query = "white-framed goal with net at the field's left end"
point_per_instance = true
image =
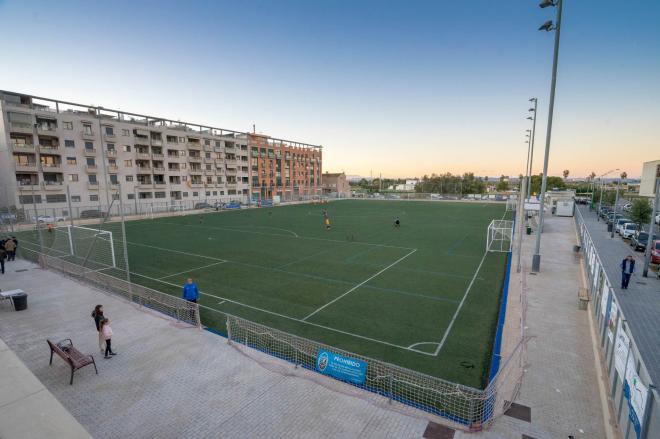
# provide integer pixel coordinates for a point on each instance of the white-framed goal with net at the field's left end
(84, 246)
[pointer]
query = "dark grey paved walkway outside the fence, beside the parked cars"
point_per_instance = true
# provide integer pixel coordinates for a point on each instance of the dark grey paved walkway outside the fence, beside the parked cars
(641, 299)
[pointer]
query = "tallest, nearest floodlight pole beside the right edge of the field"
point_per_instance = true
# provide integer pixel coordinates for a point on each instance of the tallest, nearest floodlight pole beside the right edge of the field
(536, 259)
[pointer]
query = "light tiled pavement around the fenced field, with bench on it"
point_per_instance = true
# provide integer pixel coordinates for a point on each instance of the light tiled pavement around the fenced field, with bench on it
(170, 381)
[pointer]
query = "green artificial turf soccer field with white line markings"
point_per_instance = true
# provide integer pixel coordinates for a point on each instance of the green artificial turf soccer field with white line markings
(424, 296)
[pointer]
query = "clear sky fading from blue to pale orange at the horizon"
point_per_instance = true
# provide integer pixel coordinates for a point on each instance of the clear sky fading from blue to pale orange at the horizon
(398, 88)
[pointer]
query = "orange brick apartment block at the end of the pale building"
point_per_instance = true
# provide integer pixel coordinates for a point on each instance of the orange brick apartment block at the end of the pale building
(290, 170)
